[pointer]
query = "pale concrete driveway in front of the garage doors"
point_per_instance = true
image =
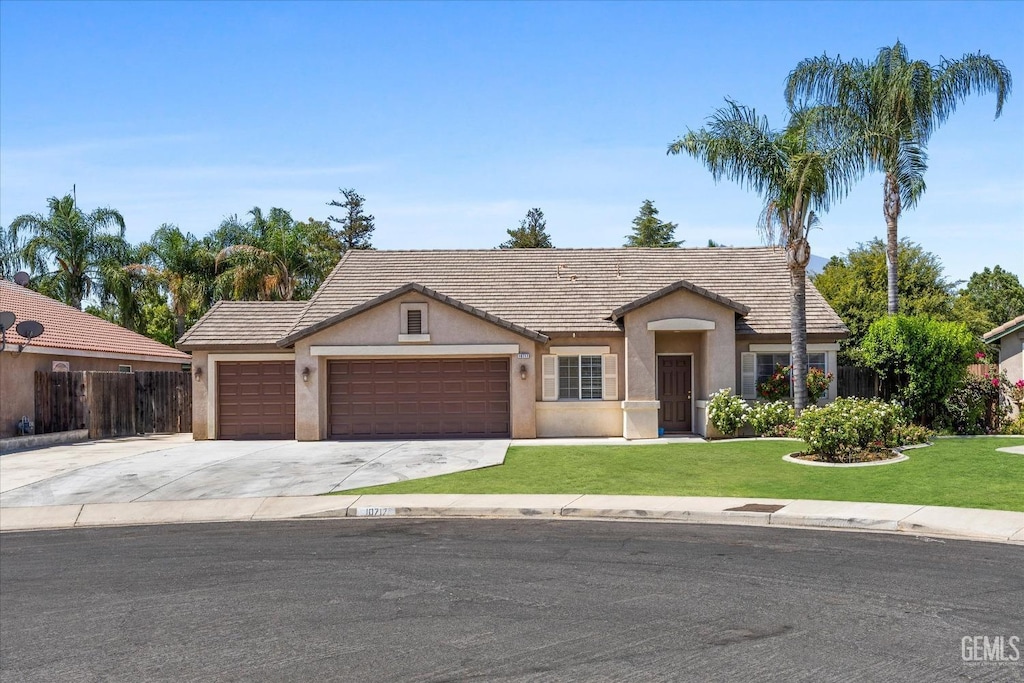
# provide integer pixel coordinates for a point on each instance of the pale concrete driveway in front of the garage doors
(176, 468)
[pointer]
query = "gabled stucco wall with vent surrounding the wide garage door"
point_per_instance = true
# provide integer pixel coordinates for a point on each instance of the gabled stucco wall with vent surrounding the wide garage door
(380, 327)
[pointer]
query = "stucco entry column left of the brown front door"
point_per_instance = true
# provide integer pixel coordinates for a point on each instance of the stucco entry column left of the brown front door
(641, 407)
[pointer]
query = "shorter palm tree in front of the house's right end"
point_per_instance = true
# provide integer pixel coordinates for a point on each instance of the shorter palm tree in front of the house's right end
(798, 172)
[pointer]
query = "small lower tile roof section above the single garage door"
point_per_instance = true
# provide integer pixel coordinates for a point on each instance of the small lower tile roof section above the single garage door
(243, 324)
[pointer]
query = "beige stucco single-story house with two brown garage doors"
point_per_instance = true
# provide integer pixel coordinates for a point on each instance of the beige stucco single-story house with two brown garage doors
(522, 344)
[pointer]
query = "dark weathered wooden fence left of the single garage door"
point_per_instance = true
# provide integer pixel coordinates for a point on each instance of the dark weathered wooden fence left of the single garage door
(114, 404)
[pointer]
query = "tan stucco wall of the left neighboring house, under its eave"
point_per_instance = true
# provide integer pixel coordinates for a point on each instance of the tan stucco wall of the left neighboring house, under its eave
(18, 383)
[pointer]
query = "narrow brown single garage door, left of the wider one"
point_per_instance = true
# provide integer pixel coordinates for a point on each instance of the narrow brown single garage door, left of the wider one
(257, 400)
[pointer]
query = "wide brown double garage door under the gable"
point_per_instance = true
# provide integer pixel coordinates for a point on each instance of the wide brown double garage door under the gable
(421, 399)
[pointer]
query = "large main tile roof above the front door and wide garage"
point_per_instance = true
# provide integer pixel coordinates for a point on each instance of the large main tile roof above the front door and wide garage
(574, 290)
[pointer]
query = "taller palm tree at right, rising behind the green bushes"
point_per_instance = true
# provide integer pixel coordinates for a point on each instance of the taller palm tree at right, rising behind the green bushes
(901, 104)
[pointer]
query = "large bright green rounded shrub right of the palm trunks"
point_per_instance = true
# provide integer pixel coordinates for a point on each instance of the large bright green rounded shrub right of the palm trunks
(920, 361)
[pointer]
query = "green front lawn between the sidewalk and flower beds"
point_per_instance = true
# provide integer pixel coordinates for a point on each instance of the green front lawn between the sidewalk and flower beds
(954, 473)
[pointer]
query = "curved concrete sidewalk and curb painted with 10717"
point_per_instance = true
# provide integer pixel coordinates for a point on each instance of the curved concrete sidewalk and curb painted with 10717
(992, 526)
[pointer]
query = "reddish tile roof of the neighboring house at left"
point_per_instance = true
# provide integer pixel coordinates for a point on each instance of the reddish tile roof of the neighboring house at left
(68, 328)
